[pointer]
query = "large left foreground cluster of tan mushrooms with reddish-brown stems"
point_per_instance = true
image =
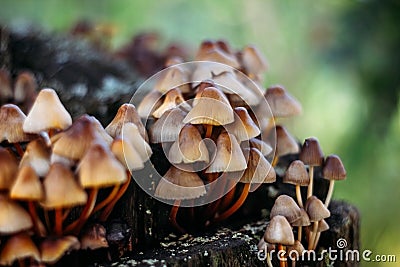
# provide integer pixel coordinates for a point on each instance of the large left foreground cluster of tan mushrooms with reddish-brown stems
(60, 178)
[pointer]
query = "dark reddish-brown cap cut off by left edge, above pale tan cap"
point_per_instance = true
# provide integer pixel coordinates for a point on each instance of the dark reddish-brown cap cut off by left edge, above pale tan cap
(8, 169)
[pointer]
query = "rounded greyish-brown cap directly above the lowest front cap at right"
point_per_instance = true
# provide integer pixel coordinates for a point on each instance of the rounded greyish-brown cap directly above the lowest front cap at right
(287, 207)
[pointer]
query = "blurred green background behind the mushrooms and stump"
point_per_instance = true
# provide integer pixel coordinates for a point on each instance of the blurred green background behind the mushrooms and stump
(339, 58)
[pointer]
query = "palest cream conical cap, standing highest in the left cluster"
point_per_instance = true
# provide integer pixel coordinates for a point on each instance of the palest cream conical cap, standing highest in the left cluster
(47, 113)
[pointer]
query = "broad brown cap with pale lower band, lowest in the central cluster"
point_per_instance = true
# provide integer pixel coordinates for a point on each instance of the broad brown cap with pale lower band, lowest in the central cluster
(178, 184)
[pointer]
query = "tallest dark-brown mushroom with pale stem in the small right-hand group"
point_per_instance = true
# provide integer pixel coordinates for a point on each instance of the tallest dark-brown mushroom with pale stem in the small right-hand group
(311, 154)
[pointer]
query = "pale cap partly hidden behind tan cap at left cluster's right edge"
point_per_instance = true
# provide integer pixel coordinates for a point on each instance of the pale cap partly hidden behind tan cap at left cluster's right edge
(131, 133)
